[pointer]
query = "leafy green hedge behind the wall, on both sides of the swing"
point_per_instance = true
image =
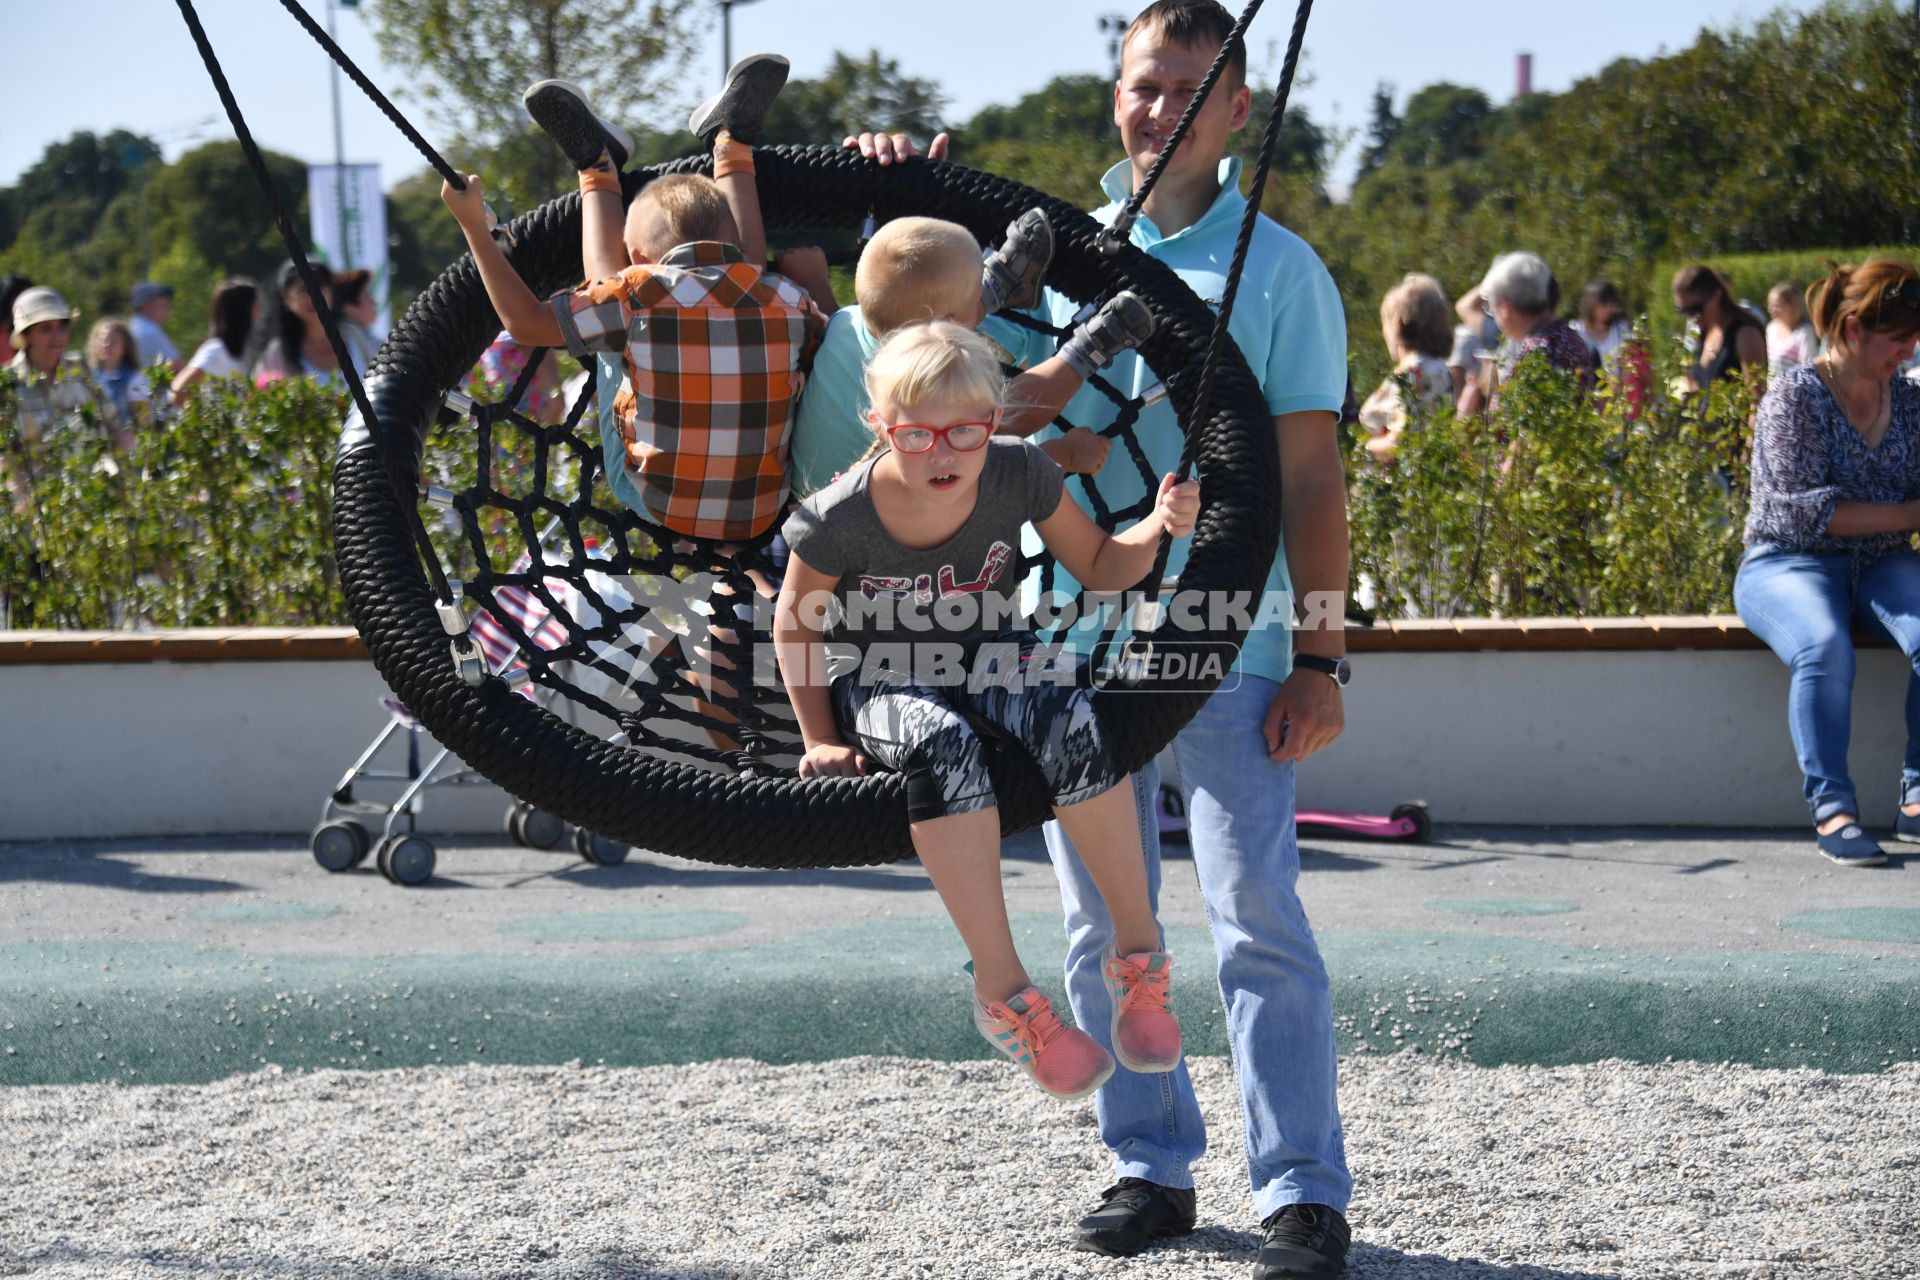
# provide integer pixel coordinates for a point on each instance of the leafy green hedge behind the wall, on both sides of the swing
(222, 515)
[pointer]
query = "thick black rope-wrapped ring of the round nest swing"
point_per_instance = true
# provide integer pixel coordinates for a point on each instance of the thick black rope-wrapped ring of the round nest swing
(681, 807)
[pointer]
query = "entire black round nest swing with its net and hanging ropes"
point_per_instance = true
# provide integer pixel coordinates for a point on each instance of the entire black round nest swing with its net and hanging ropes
(636, 784)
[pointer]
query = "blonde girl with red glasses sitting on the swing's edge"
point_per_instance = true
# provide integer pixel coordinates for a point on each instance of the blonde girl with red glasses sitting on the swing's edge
(901, 642)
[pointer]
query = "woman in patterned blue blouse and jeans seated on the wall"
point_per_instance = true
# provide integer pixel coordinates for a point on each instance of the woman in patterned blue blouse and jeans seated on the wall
(1836, 500)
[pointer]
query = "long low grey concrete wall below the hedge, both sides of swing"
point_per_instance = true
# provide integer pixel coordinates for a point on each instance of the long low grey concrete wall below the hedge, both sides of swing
(1535, 736)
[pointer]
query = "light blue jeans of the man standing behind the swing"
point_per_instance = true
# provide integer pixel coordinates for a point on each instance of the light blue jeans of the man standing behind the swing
(1272, 980)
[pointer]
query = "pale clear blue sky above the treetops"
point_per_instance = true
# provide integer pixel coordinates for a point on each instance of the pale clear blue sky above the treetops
(132, 64)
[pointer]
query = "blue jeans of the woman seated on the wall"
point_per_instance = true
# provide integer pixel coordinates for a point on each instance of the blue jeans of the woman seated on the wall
(1806, 607)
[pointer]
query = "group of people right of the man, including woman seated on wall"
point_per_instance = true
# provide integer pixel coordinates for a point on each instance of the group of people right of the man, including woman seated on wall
(1835, 462)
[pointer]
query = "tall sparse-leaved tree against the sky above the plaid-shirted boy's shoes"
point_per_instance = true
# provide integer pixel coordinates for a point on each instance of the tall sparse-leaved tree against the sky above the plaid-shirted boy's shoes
(475, 59)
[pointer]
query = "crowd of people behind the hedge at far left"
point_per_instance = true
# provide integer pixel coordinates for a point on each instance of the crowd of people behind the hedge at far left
(254, 339)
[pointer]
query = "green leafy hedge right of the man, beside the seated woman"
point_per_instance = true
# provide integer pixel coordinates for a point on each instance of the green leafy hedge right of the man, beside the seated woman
(1558, 504)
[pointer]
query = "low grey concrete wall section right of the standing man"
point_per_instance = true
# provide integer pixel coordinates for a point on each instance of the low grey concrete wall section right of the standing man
(1691, 738)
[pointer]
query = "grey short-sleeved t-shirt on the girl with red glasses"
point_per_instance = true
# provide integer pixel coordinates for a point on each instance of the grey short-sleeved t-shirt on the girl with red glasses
(959, 594)
